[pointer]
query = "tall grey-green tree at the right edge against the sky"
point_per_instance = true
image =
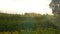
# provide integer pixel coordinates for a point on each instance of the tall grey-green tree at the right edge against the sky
(55, 6)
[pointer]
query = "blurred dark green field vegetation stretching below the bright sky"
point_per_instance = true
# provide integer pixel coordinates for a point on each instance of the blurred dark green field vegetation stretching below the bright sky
(42, 24)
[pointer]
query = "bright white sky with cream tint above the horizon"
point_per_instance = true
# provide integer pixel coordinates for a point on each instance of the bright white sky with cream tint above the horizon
(23, 6)
